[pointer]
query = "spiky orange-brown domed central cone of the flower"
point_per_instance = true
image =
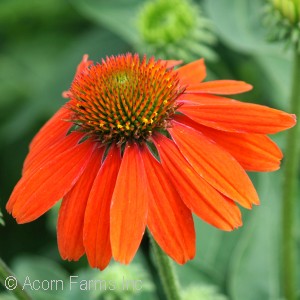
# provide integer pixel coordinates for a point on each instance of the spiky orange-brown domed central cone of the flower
(124, 98)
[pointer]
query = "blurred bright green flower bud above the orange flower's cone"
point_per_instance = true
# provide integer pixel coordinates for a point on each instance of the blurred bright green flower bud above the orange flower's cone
(175, 29)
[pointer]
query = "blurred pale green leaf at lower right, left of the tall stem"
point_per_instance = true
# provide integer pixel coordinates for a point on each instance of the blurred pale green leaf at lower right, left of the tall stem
(255, 265)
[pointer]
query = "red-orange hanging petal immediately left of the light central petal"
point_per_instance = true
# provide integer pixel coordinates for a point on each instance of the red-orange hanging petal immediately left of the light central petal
(96, 230)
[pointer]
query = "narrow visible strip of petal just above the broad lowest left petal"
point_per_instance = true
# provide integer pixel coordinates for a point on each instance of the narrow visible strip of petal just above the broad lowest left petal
(35, 159)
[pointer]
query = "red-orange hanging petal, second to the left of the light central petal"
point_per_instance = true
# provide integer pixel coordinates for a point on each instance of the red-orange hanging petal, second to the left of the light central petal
(71, 213)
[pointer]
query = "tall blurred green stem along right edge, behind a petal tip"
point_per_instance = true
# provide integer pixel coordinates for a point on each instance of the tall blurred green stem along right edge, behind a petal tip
(290, 190)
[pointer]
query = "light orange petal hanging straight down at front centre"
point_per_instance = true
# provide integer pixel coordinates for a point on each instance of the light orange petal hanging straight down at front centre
(129, 206)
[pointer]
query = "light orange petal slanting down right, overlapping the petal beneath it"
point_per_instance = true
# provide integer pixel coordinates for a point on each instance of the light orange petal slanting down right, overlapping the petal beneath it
(214, 165)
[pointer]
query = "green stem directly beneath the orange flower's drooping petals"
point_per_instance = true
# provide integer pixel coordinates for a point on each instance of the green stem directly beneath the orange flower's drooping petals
(166, 272)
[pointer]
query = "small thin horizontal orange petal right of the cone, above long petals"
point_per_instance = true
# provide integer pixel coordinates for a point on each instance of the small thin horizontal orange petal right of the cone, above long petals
(222, 87)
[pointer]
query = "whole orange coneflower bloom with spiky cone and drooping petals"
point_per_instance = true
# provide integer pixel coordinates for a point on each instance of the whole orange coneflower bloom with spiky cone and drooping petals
(139, 145)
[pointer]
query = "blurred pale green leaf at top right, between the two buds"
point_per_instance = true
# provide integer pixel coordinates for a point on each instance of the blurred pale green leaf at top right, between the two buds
(240, 27)
